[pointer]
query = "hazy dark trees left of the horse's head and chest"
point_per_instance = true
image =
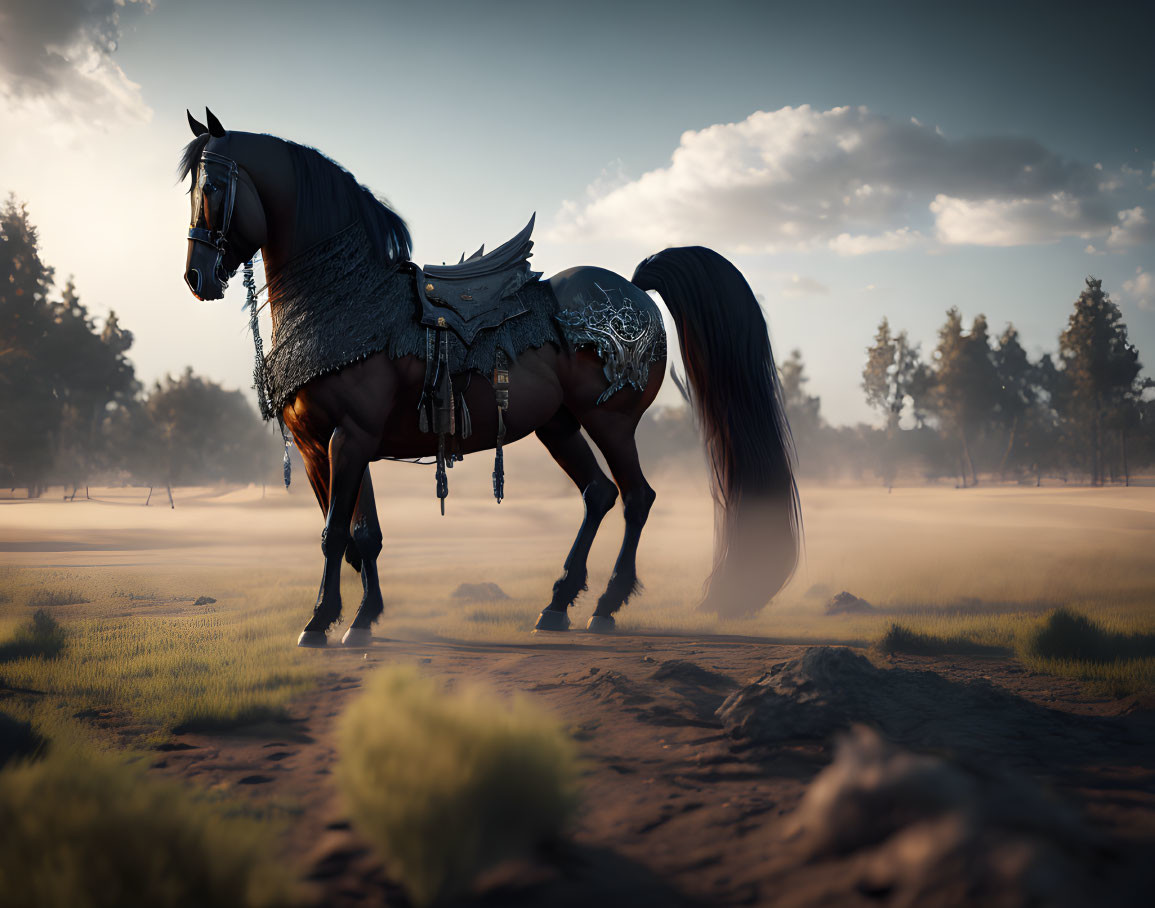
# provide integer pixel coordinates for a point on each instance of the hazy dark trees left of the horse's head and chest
(72, 408)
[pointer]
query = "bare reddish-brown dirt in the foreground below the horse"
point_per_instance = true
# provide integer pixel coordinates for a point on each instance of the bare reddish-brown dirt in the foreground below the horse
(674, 812)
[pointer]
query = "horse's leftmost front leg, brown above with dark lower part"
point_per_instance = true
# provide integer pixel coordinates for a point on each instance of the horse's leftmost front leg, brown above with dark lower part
(349, 456)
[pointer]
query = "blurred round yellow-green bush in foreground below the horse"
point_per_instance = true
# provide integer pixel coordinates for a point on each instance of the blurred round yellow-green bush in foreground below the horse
(448, 783)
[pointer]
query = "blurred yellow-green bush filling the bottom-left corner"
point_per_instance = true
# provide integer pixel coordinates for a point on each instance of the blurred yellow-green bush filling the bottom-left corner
(85, 830)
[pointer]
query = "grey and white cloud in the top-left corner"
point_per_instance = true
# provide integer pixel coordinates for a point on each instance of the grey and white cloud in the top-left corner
(57, 55)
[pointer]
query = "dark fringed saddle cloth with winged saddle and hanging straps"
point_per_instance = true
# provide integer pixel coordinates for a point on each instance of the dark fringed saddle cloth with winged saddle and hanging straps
(337, 304)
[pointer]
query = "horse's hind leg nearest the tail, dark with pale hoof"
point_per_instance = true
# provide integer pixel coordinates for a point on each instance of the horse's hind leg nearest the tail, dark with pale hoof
(614, 434)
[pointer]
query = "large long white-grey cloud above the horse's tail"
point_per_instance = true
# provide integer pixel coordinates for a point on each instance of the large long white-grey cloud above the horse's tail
(854, 182)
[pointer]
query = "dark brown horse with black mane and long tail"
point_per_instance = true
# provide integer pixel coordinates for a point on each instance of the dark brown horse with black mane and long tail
(260, 193)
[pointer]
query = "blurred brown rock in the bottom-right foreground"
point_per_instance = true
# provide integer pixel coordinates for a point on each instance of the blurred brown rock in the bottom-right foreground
(922, 830)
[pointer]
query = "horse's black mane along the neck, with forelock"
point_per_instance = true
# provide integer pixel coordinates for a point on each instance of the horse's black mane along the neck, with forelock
(329, 199)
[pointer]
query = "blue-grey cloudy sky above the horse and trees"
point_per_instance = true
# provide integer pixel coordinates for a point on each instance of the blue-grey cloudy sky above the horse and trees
(854, 160)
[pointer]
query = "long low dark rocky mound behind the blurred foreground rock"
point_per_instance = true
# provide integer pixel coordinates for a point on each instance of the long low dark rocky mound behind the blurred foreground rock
(830, 689)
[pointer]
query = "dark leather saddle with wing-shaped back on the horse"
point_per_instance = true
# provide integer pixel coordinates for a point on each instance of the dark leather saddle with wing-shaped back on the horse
(478, 293)
